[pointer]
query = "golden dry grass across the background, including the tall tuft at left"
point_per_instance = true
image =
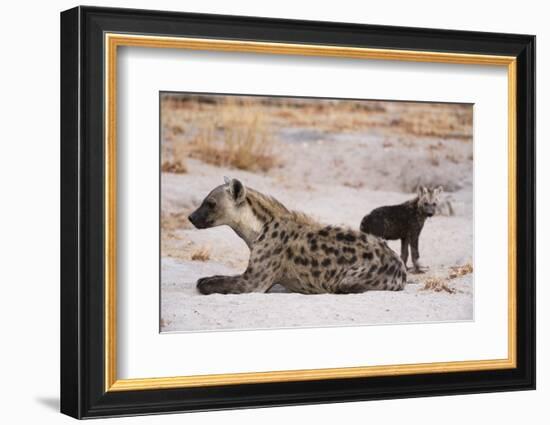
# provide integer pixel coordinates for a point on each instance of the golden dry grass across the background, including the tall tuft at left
(242, 131)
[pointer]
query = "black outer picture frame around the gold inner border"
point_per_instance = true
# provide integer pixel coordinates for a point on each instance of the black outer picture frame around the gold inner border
(83, 392)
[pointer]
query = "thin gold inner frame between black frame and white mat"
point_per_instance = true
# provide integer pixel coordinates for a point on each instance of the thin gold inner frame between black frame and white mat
(113, 41)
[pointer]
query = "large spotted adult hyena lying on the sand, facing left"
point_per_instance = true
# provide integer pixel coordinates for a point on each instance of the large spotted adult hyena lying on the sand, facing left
(291, 249)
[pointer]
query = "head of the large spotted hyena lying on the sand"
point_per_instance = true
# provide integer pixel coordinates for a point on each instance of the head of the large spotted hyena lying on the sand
(226, 204)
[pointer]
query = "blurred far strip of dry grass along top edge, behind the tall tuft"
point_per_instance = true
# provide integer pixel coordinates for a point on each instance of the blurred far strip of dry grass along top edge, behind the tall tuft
(330, 116)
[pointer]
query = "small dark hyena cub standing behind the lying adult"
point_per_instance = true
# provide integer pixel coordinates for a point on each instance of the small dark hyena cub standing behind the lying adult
(404, 221)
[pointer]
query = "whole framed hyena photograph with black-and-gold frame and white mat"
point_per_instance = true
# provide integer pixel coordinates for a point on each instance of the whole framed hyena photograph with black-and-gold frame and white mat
(261, 212)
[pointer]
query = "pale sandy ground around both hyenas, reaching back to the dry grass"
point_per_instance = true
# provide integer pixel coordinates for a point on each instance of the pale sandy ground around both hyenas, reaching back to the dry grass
(336, 186)
